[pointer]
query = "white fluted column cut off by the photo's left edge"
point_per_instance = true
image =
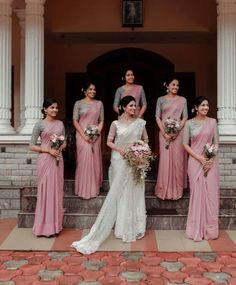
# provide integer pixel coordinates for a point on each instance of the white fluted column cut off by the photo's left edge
(5, 66)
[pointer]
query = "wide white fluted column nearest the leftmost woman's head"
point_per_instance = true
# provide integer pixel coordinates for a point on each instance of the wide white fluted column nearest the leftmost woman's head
(34, 63)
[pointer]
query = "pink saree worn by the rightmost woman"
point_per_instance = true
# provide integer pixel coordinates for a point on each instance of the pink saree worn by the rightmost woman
(202, 222)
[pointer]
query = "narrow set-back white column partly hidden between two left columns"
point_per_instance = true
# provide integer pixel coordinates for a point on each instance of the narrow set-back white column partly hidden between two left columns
(21, 16)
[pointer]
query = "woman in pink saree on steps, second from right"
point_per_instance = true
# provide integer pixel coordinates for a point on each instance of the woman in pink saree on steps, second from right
(171, 178)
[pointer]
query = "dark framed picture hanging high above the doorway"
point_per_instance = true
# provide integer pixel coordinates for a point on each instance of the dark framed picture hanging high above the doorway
(132, 13)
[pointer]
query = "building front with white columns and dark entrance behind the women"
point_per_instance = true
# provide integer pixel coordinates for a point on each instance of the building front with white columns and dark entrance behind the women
(48, 48)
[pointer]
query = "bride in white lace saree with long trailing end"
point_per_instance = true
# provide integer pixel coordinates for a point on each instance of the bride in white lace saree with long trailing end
(124, 205)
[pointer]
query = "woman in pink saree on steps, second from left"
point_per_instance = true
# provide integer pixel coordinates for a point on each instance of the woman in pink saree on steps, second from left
(88, 175)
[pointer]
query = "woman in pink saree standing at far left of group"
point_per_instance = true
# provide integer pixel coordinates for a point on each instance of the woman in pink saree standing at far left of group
(50, 176)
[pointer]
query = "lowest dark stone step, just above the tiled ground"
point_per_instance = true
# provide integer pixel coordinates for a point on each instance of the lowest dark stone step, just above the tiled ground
(172, 220)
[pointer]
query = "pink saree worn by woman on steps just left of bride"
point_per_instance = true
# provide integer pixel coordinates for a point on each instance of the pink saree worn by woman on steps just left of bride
(88, 175)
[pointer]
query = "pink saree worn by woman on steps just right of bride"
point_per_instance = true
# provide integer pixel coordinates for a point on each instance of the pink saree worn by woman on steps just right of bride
(172, 174)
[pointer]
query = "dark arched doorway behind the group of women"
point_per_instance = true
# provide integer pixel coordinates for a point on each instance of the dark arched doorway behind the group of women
(106, 71)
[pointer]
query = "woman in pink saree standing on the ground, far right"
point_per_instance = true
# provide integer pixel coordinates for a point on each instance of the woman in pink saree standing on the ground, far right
(202, 222)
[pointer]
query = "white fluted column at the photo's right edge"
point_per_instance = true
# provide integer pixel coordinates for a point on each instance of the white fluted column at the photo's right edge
(226, 69)
